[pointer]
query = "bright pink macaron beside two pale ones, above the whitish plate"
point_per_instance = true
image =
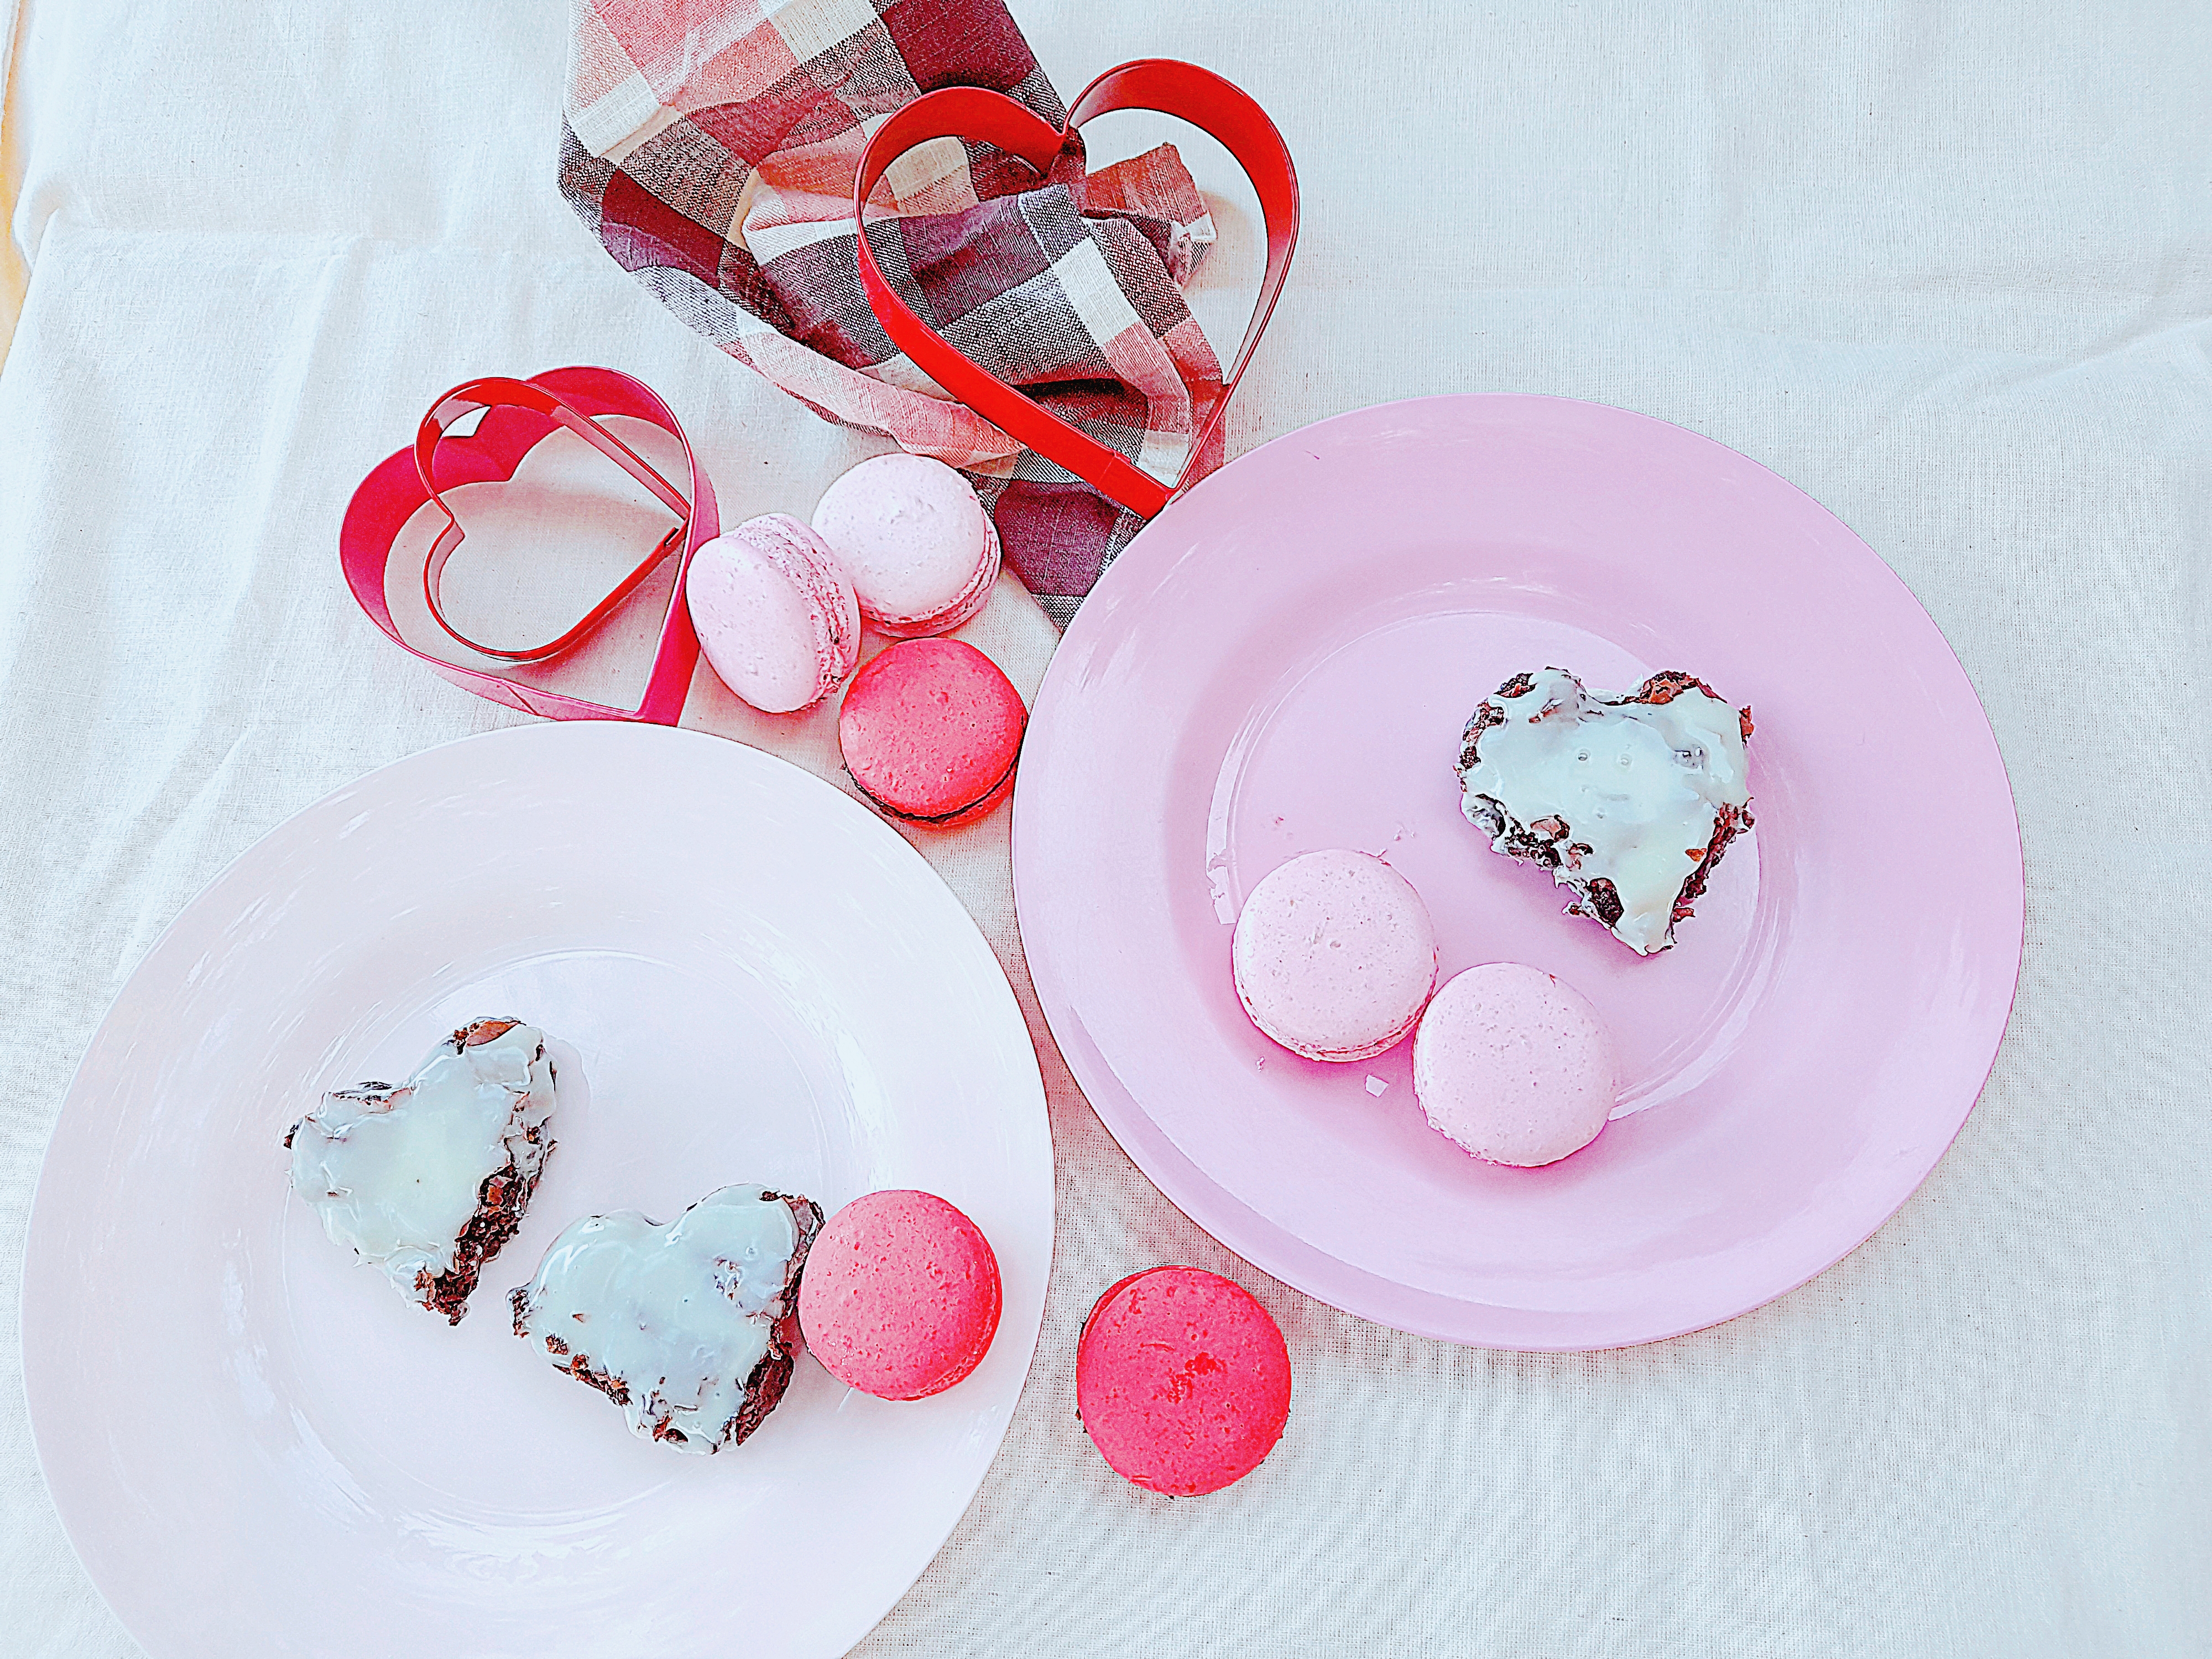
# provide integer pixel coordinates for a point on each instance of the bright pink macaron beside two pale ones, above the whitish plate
(932, 731)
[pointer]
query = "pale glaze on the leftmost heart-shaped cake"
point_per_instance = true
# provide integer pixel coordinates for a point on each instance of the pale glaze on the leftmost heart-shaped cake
(397, 1173)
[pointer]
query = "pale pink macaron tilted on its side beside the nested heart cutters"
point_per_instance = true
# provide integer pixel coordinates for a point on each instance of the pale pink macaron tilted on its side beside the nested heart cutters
(775, 614)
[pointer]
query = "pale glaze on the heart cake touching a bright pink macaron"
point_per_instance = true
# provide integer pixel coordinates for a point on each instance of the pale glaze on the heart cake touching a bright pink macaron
(676, 1315)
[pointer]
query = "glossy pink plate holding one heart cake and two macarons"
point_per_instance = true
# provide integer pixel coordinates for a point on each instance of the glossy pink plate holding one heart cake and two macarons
(1284, 660)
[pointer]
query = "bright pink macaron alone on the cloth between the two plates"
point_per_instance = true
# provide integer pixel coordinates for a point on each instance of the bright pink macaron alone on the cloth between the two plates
(1182, 1381)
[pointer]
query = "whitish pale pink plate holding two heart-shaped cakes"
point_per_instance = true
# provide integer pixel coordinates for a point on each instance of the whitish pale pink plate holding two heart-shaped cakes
(260, 1448)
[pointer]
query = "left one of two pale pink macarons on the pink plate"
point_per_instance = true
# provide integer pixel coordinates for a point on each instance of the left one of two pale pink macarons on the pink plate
(1335, 954)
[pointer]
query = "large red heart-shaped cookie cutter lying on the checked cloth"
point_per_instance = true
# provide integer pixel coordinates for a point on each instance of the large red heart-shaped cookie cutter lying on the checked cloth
(1160, 85)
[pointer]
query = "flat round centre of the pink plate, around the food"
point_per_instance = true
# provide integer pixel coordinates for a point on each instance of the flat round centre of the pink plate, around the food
(1355, 747)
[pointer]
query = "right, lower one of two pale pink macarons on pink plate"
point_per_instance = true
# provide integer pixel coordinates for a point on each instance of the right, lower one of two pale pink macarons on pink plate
(1514, 1065)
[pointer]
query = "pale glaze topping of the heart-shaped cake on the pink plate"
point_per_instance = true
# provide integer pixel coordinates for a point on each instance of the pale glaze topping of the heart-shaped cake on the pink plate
(1603, 789)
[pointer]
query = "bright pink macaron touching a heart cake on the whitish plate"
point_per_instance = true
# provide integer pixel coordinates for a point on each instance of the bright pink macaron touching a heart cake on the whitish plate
(899, 1297)
